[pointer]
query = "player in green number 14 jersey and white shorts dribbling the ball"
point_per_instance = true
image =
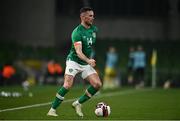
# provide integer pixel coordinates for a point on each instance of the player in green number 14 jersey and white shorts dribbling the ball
(79, 61)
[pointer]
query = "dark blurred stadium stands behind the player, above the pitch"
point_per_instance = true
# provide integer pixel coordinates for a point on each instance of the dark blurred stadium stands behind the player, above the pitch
(40, 30)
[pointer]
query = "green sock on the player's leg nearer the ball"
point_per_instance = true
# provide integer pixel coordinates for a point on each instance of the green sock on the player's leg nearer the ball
(85, 97)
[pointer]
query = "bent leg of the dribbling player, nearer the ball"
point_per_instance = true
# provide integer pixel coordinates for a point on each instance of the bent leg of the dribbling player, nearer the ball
(90, 91)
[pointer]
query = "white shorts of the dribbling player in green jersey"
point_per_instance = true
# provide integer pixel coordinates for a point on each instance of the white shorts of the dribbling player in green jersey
(72, 68)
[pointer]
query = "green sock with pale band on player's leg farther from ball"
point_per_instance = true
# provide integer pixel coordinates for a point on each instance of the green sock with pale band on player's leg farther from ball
(57, 101)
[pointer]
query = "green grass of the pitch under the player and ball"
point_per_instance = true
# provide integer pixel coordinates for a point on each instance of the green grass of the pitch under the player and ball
(125, 103)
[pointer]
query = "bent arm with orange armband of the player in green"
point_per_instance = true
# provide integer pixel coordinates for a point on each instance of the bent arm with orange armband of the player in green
(80, 54)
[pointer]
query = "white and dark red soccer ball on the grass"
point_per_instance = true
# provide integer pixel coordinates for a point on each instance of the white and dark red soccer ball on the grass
(102, 110)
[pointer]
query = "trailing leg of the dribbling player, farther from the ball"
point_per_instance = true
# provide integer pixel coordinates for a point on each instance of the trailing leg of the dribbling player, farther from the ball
(68, 82)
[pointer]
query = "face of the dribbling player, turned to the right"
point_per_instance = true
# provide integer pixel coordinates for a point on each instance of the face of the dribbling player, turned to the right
(88, 17)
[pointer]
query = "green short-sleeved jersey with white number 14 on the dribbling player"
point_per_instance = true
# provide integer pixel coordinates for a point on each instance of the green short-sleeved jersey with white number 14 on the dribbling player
(87, 37)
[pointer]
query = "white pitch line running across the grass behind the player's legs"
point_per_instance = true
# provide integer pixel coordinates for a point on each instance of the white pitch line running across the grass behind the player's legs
(69, 100)
